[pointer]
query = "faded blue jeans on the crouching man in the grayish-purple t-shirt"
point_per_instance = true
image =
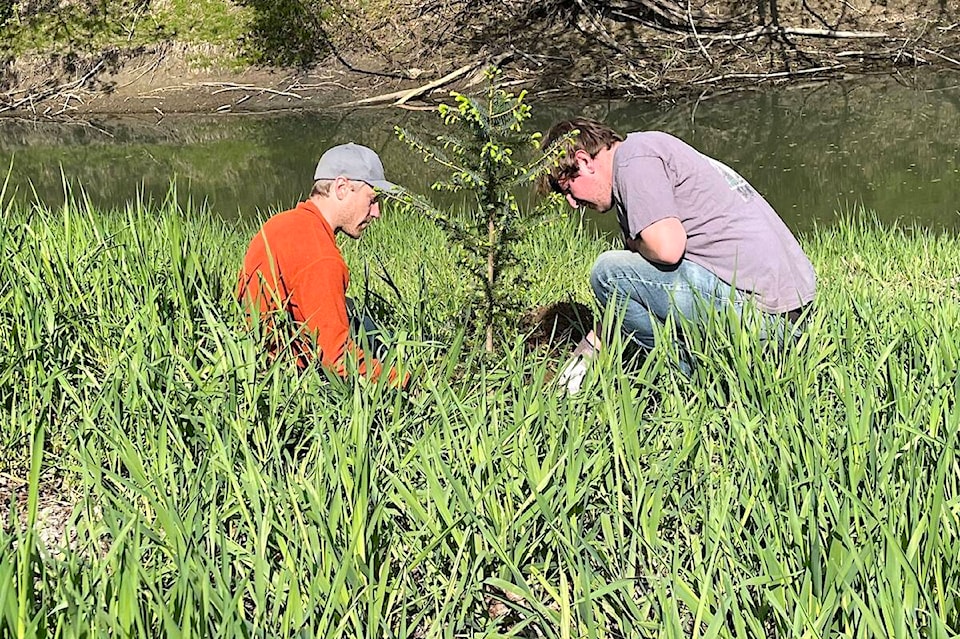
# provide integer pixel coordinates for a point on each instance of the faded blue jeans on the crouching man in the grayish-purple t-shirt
(645, 295)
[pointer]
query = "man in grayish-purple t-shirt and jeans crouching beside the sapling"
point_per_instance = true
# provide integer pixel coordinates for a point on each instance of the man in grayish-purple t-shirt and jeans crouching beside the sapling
(696, 234)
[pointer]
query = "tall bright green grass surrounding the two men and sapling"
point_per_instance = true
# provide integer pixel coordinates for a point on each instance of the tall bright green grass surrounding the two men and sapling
(812, 492)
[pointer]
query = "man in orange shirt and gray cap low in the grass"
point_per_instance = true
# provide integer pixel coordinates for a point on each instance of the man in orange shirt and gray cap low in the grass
(293, 267)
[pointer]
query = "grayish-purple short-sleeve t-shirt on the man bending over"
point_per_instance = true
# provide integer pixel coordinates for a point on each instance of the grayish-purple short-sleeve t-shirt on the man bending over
(731, 230)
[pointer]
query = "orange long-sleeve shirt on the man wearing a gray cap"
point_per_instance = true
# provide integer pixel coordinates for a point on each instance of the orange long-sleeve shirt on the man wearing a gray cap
(293, 264)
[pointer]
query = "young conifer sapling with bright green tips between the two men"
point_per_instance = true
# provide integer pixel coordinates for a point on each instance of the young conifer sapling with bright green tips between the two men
(482, 153)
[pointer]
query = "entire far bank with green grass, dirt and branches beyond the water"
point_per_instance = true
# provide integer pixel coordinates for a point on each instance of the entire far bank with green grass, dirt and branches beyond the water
(71, 56)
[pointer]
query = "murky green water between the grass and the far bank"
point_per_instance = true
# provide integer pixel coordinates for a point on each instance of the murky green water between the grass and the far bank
(890, 144)
